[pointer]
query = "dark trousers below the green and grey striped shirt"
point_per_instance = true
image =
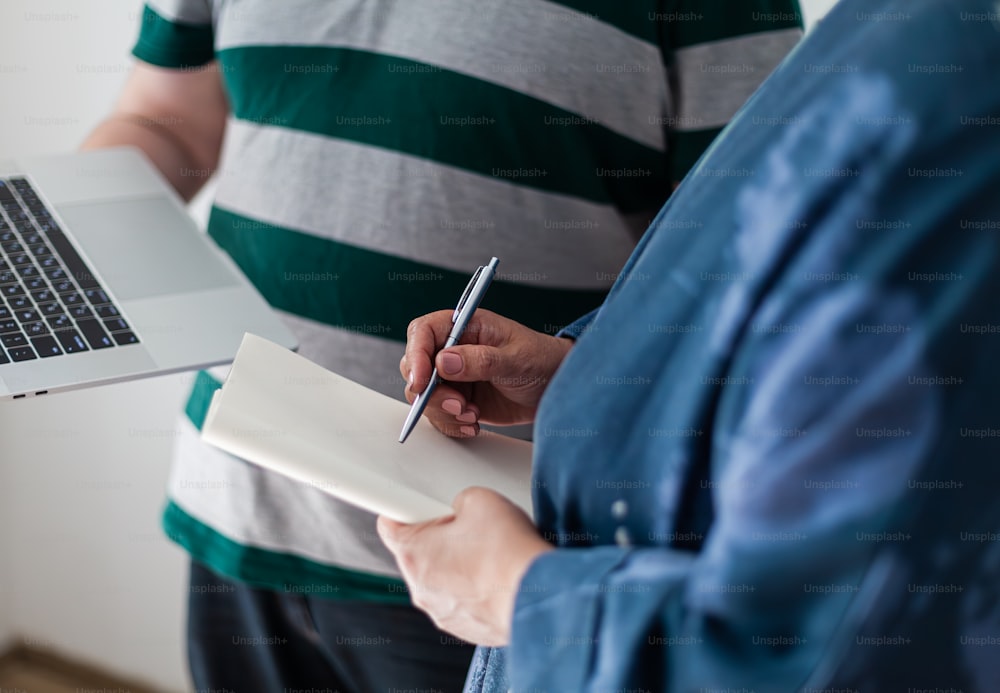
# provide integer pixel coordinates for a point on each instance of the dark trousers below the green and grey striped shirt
(246, 640)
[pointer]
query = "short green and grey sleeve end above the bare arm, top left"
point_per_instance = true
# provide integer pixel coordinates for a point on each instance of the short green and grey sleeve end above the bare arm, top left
(176, 34)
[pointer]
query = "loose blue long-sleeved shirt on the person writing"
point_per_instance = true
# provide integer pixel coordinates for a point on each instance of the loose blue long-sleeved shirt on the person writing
(772, 460)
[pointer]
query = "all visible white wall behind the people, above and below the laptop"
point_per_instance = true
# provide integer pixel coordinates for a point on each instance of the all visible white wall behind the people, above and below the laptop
(84, 568)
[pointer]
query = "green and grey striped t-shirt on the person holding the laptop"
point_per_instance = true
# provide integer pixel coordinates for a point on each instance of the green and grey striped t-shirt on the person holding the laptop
(378, 150)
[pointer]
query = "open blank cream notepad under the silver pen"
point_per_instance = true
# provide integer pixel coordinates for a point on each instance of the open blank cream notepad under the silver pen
(283, 412)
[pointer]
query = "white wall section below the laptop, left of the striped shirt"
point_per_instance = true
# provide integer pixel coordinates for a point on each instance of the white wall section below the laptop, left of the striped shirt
(90, 573)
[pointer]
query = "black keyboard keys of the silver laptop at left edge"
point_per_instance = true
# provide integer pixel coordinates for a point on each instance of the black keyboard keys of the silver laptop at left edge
(50, 302)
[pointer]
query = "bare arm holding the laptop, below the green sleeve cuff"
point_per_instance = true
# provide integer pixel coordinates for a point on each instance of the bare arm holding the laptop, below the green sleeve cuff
(176, 117)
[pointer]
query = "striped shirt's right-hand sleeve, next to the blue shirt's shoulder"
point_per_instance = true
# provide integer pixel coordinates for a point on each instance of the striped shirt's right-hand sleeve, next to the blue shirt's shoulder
(717, 53)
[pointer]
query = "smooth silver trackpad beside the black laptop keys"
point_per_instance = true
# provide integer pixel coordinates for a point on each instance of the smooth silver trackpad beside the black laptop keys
(145, 247)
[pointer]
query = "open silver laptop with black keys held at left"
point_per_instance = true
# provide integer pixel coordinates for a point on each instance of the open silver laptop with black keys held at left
(104, 277)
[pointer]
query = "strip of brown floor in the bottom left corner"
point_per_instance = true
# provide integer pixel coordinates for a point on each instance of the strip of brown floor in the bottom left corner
(27, 671)
